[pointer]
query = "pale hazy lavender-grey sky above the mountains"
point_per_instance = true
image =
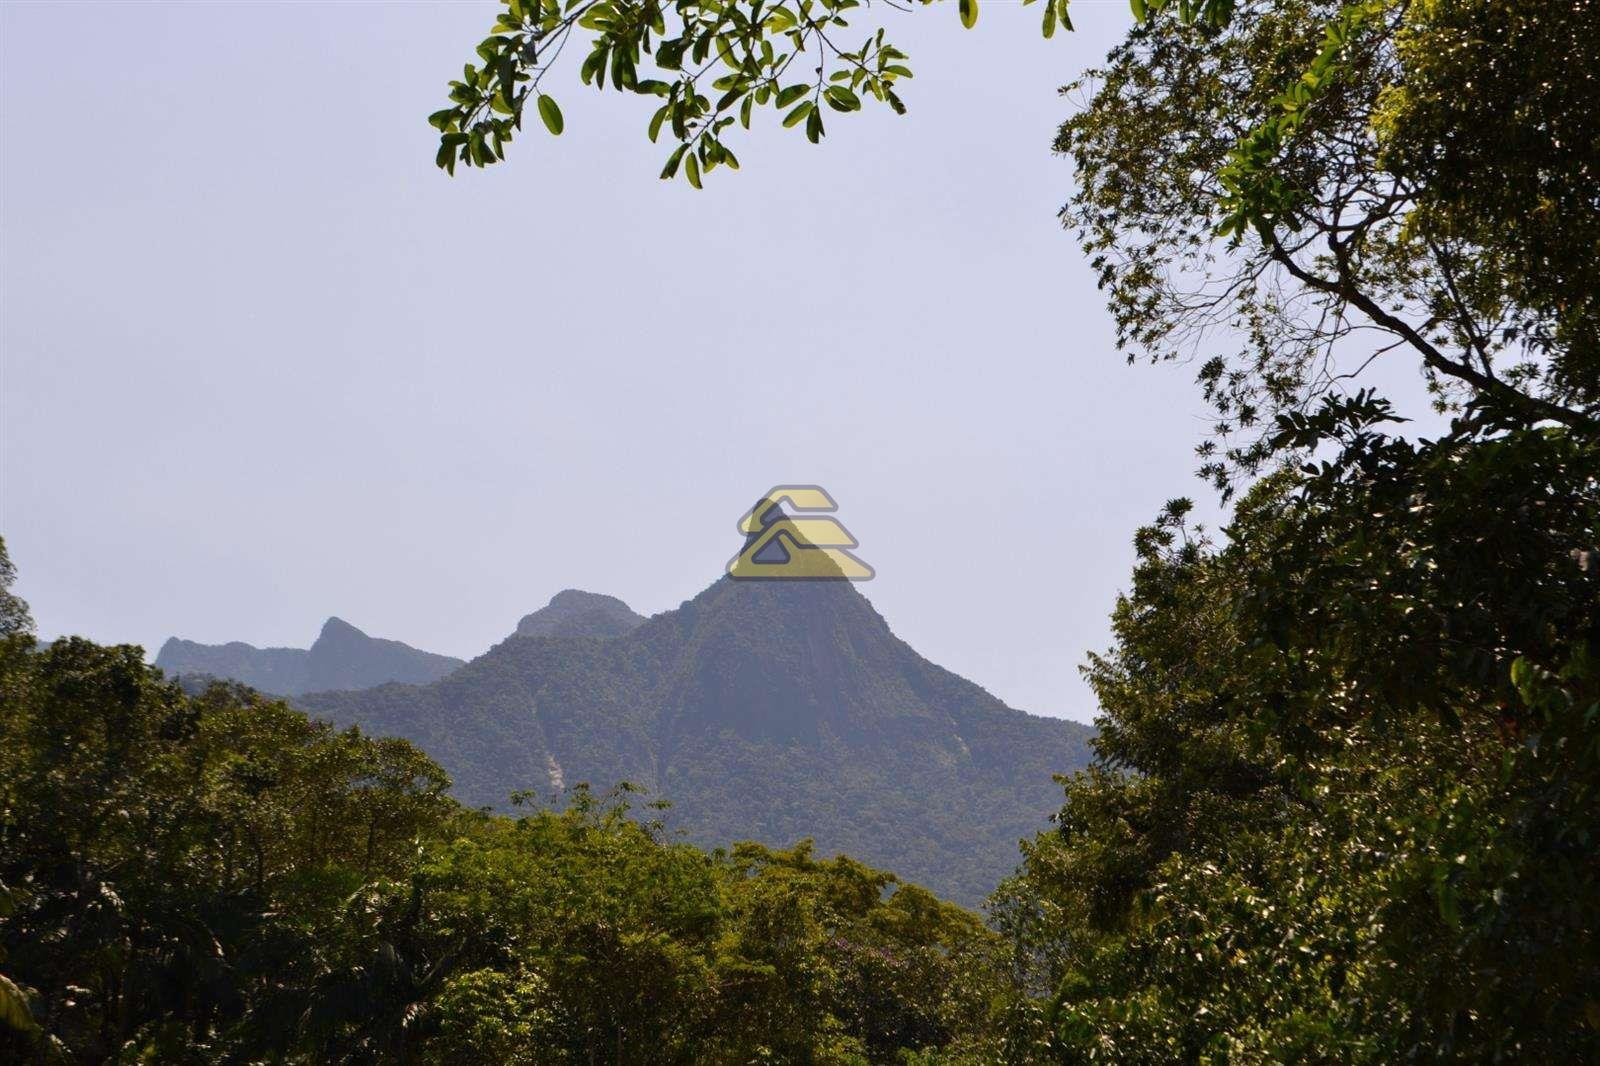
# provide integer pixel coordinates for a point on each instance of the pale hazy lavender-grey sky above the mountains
(265, 364)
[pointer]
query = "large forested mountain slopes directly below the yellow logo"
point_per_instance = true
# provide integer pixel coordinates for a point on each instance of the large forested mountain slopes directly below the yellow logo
(761, 710)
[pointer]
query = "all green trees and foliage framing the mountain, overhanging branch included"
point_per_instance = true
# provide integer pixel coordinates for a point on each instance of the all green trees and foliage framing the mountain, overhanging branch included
(1346, 806)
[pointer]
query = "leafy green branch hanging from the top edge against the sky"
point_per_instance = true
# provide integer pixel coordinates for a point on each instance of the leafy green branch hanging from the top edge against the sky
(796, 57)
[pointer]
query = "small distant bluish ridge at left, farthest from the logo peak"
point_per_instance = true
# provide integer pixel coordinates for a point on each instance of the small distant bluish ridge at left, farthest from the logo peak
(343, 657)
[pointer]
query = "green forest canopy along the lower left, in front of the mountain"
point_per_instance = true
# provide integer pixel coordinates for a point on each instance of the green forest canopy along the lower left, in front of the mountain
(215, 878)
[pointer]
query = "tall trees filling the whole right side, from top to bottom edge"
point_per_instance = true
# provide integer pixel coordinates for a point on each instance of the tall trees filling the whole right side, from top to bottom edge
(1345, 808)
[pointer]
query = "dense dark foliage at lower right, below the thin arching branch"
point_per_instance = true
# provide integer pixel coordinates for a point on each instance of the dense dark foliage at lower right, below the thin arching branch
(1350, 771)
